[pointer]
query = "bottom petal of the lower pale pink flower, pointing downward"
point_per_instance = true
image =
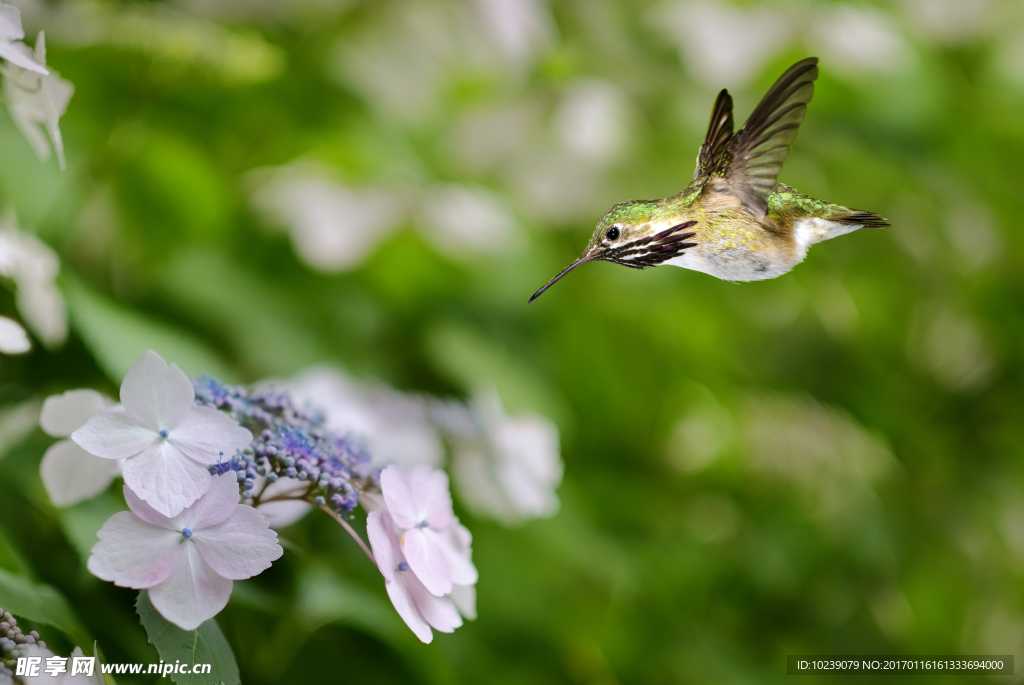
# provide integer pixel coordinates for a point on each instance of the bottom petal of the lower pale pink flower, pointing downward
(194, 592)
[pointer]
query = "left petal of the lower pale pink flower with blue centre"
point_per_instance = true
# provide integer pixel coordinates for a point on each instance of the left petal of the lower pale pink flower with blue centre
(134, 554)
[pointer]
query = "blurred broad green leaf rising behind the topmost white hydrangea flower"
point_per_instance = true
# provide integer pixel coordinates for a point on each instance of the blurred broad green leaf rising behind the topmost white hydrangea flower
(116, 336)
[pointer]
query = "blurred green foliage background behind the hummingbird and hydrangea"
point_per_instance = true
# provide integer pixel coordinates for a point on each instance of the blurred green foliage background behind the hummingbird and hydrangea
(826, 463)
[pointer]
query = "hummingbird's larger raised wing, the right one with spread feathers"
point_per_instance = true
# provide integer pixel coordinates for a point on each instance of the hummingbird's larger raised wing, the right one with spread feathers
(753, 158)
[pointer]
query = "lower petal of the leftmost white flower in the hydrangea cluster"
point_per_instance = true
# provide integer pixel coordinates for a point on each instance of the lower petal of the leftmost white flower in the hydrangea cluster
(71, 475)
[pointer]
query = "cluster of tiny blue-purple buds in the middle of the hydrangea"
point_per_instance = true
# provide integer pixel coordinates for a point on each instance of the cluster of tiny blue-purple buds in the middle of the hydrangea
(291, 443)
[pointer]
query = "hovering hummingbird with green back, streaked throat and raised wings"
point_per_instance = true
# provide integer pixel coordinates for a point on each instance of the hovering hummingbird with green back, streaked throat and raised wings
(735, 222)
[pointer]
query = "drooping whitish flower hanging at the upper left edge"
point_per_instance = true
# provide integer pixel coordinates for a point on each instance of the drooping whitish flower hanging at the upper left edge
(37, 101)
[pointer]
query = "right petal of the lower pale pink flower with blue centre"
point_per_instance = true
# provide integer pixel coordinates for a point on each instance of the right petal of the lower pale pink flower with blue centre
(241, 547)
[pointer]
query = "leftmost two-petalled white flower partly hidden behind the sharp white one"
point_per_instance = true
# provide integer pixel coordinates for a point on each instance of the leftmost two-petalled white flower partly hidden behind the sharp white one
(70, 474)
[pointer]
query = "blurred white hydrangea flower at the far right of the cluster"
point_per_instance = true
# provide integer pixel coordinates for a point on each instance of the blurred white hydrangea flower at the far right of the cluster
(511, 467)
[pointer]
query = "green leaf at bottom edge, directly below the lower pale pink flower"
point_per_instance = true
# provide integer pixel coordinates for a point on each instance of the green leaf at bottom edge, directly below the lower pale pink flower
(203, 646)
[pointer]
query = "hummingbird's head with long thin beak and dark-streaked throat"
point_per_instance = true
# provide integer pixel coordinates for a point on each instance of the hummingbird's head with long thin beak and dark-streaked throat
(631, 234)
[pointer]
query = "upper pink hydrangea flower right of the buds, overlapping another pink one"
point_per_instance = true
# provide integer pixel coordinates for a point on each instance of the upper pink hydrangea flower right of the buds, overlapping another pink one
(420, 505)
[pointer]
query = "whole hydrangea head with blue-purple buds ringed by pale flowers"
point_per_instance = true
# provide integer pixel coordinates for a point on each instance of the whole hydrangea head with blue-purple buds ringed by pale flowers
(190, 450)
